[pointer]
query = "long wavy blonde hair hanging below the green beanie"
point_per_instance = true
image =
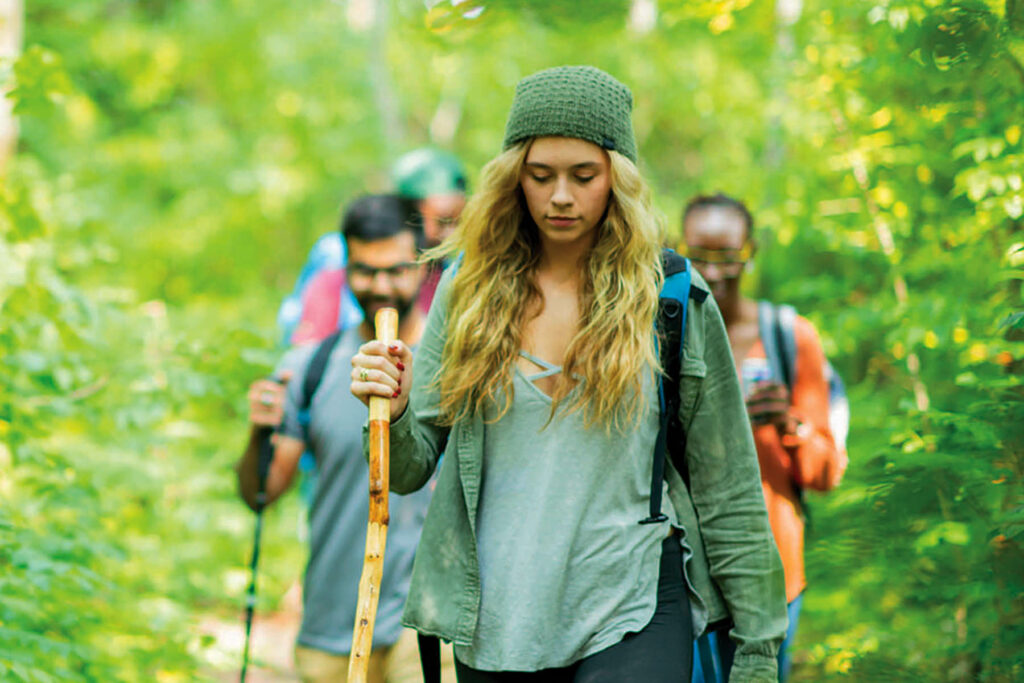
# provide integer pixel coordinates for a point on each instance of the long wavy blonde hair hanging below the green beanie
(494, 289)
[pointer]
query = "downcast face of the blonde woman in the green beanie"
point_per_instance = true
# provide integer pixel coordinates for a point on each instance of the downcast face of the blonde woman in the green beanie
(567, 183)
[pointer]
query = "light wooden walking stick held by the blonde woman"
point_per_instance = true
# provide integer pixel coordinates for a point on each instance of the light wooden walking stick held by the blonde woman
(387, 323)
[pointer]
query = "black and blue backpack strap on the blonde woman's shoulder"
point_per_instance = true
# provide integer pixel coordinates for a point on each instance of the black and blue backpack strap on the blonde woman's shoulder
(677, 290)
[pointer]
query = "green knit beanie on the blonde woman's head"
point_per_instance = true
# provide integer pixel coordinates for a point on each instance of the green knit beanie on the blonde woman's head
(574, 102)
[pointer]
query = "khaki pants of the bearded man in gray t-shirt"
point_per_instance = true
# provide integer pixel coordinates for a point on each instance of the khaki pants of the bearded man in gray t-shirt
(398, 664)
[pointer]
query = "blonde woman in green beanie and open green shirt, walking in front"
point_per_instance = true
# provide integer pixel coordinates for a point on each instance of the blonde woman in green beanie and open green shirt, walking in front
(537, 377)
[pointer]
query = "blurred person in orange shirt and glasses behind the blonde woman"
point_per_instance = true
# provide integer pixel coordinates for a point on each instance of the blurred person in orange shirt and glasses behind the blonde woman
(796, 446)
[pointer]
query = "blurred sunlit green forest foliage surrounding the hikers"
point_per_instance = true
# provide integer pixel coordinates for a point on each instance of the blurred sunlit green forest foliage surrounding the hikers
(176, 160)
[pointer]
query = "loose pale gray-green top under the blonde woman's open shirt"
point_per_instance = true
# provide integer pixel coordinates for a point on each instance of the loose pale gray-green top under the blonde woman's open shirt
(558, 534)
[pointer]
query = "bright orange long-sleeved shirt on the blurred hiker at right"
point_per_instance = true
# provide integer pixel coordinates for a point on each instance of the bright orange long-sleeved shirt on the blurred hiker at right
(809, 459)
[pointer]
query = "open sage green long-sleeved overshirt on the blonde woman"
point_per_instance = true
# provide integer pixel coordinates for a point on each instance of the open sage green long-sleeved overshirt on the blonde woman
(735, 568)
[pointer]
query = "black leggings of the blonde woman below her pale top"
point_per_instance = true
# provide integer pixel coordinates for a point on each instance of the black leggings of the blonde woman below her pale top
(662, 653)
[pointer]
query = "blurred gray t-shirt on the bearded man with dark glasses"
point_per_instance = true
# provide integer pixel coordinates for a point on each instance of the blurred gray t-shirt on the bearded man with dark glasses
(340, 507)
